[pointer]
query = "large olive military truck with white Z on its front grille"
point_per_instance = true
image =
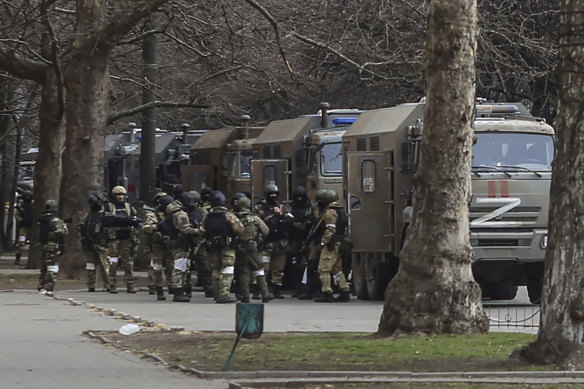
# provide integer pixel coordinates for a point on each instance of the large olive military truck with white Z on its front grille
(511, 178)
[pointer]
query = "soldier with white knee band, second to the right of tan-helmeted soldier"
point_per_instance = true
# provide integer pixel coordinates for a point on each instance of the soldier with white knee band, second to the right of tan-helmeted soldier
(178, 232)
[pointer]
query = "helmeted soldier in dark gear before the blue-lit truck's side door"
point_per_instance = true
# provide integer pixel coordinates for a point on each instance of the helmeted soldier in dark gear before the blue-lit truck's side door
(276, 247)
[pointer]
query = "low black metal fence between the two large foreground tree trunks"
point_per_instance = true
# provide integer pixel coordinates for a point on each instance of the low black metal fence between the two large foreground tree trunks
(512, 315)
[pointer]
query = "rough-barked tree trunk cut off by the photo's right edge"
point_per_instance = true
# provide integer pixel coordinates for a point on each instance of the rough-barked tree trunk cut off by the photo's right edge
(561, 333)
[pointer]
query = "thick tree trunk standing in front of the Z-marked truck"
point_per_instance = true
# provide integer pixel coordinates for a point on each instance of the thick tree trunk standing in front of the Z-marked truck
(434, 290)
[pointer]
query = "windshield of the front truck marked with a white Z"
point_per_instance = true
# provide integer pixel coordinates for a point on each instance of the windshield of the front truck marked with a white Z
(506, 150)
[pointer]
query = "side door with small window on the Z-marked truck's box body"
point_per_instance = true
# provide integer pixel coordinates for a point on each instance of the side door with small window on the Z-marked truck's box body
(369, 201)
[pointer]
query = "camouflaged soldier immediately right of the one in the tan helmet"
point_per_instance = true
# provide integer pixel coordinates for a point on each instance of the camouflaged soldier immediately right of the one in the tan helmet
(154, 245)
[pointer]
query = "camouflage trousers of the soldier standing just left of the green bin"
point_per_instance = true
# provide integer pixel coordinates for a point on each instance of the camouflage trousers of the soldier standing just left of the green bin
(222, 264)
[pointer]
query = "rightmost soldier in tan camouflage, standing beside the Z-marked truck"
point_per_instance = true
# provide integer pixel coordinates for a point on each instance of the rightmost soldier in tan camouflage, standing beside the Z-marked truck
(330, 263)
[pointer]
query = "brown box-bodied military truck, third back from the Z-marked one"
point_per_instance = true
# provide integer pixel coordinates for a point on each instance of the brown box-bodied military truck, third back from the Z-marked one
(221, 159)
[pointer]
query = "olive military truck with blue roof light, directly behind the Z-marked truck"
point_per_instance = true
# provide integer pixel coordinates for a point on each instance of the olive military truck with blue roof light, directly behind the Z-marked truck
(301, 151)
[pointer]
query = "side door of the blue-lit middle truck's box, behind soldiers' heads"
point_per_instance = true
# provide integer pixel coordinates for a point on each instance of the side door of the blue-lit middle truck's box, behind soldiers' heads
(270, 171)
